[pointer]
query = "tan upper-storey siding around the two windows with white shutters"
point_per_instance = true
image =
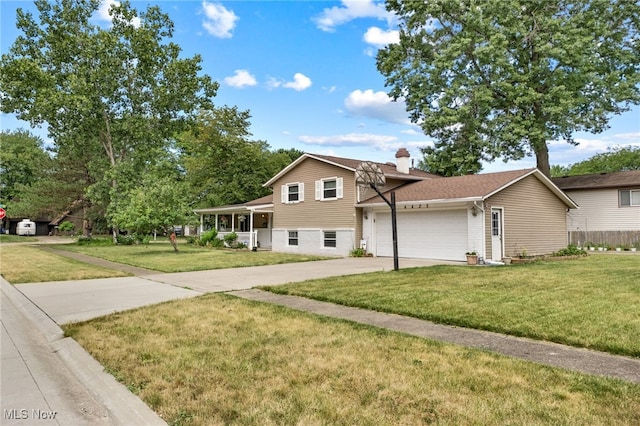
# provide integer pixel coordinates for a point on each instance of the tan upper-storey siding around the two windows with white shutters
(311, 213)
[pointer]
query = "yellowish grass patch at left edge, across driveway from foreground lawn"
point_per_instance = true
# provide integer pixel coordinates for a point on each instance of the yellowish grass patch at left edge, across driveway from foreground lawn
(28, 264)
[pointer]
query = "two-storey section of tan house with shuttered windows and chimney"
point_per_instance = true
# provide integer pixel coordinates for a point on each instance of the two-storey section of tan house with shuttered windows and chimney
(314, 209)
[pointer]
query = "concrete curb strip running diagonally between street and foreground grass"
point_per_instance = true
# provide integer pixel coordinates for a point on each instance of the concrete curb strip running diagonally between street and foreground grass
(124, 407)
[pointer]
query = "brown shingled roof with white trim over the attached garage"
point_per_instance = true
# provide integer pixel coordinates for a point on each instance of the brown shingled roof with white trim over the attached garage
(467, 188)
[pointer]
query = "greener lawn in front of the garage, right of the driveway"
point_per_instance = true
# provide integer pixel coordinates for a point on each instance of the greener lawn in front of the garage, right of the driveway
(591, 302)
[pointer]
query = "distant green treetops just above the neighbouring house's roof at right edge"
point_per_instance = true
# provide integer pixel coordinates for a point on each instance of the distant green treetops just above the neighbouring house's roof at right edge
(617, 159)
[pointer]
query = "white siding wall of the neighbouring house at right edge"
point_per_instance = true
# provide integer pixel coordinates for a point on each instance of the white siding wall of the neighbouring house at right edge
(600, 211)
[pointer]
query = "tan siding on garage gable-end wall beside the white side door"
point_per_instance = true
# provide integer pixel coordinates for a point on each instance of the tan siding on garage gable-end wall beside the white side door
(534, 219)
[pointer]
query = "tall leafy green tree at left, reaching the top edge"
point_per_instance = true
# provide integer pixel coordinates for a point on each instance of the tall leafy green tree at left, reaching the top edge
(122, 91)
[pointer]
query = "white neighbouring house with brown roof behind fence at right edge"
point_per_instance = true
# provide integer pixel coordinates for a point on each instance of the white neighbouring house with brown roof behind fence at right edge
(609, 210)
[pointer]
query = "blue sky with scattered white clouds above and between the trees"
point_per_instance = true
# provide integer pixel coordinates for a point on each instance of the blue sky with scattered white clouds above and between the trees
(306, 70)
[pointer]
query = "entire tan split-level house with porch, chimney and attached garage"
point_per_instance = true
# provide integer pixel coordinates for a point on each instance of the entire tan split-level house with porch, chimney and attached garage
(318, 208)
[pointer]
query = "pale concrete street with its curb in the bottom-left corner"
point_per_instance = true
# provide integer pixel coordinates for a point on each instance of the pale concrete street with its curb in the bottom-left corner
(48, 379)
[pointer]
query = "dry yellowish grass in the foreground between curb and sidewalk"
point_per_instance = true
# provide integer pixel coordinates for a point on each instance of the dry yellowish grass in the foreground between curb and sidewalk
(222, 360)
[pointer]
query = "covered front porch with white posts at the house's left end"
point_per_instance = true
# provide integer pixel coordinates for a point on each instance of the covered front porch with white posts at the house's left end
(250, 221)
